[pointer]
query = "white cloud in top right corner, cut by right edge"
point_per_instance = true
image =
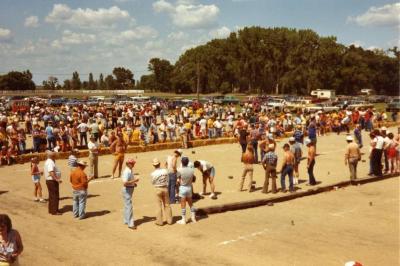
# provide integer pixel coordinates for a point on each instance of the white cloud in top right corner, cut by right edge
(387, 15)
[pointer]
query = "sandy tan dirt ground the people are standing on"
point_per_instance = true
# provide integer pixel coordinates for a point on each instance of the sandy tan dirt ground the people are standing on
(356, 223)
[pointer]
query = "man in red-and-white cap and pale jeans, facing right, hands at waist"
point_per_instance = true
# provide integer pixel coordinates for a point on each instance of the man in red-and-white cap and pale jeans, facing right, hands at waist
(129, 182)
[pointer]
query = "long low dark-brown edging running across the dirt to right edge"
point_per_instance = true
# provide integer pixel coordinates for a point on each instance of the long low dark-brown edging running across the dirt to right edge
(262, 202)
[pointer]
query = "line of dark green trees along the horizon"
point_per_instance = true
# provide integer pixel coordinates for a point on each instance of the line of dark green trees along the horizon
(258, 60)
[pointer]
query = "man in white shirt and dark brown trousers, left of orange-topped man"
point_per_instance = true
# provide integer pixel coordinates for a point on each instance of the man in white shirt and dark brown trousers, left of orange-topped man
(53, 179)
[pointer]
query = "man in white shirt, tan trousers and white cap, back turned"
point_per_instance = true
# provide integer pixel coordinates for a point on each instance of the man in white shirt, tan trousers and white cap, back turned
(159, 179)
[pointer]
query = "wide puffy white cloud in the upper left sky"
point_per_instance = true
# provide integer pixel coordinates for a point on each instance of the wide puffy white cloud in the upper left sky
(86, 18)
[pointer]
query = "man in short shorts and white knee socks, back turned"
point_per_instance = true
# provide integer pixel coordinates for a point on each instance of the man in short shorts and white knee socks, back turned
(185, 179)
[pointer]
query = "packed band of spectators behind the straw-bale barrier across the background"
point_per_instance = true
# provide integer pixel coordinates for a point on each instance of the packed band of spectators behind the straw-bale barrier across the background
(66, 128)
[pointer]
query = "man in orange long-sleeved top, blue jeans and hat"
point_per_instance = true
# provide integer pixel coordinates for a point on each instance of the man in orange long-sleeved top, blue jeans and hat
(79, 182)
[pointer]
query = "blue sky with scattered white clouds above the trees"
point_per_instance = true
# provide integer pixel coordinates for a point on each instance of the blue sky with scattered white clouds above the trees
(58, 37)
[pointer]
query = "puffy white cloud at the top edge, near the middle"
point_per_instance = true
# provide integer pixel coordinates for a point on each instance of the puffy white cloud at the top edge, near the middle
(186, 14)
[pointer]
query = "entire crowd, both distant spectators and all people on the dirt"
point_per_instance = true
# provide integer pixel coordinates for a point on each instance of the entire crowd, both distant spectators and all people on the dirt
(67, 129)
